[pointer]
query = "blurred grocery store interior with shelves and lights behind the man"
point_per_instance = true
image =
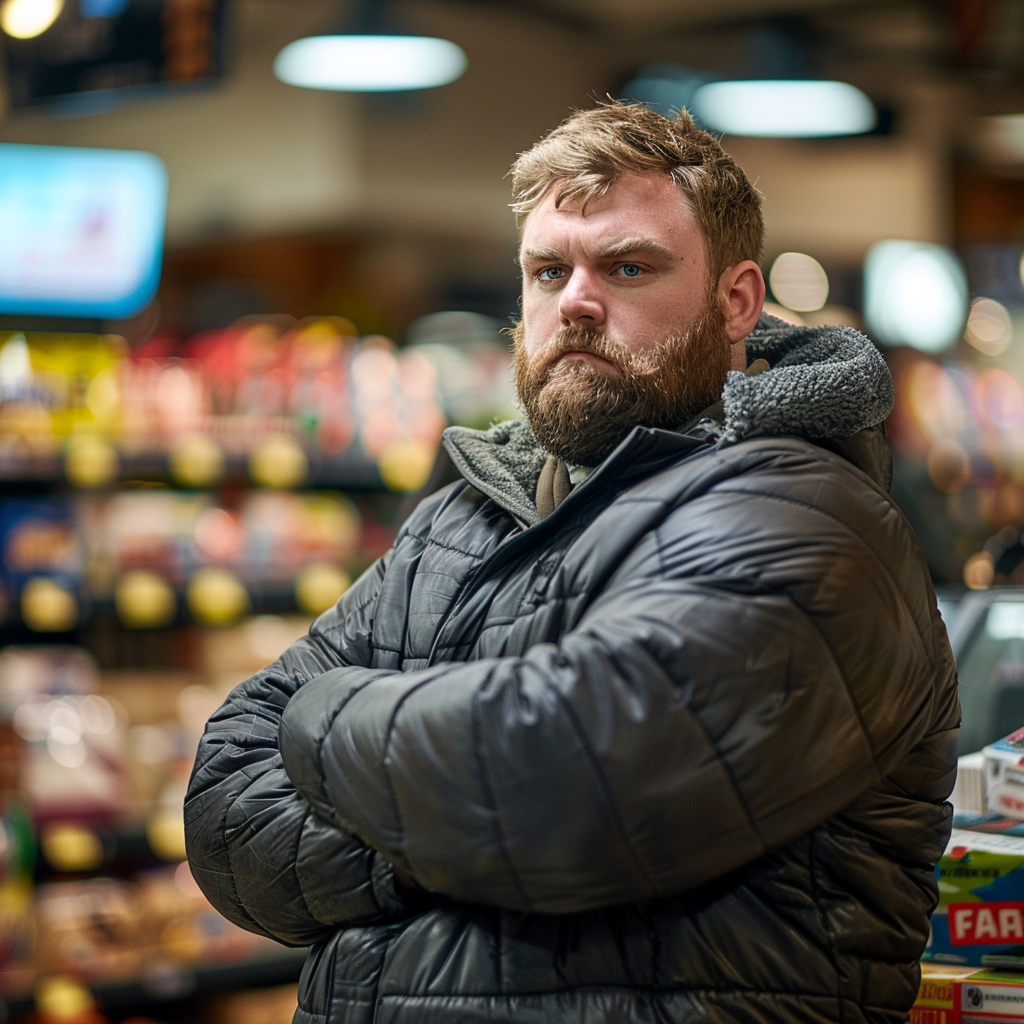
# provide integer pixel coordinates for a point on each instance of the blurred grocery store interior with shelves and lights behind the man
(243, 290)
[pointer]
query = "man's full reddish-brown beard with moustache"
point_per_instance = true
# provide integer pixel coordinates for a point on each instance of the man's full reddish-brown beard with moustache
(582, 412)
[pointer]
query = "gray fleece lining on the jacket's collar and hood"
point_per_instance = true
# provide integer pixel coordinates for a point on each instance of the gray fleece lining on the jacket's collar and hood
(826, 382)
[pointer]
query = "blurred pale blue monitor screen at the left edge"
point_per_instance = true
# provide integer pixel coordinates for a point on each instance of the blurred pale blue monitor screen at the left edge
(81, 231)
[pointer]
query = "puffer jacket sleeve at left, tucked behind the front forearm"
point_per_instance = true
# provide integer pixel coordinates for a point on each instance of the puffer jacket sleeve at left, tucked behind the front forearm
(265, 859)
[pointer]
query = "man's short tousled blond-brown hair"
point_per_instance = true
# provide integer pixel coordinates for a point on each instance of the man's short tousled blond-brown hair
(593, 149)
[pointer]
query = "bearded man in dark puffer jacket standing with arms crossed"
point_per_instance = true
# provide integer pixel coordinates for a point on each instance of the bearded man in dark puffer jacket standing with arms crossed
(651, 718)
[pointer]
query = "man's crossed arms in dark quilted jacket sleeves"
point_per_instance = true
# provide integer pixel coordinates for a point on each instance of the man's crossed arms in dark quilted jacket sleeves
(686, 727)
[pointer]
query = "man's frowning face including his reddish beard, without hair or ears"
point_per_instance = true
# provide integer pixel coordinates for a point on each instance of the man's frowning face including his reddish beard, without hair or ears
(620, 323)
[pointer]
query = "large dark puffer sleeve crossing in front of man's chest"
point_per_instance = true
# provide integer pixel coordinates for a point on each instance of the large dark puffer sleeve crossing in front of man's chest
(729, 692)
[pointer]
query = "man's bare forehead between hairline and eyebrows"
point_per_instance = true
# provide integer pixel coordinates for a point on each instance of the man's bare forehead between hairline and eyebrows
(637, 205)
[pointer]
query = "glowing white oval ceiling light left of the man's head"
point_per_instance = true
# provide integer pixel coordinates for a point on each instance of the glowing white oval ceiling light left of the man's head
(370, 64)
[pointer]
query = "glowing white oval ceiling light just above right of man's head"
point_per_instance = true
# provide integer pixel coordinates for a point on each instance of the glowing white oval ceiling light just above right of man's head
(774, 109)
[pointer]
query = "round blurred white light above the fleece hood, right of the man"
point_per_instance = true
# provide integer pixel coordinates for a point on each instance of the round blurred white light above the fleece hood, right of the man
(915, 294)
